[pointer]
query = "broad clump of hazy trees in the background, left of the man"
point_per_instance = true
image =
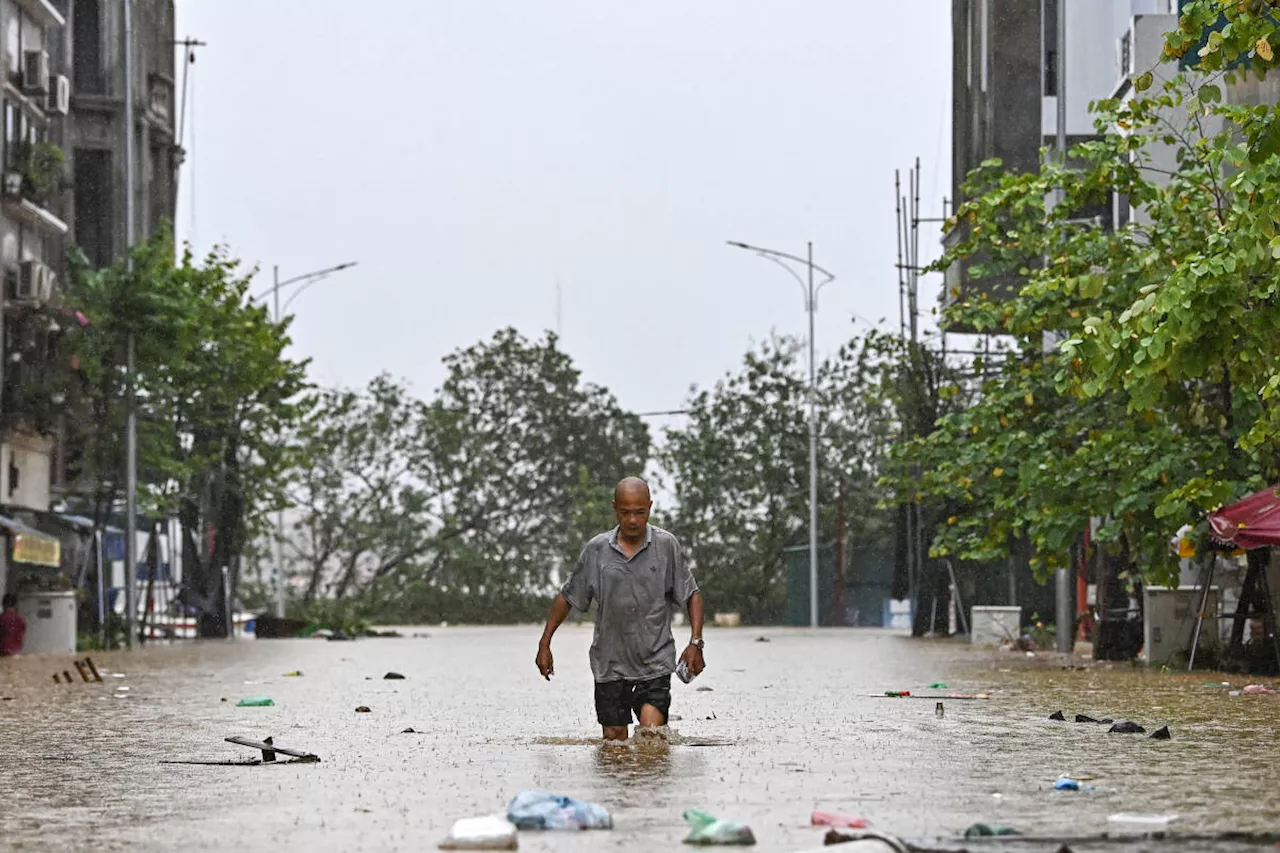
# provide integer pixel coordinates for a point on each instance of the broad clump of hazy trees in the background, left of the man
(468, 507)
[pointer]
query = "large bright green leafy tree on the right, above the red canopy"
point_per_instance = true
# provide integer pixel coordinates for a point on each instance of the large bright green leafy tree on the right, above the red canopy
(1158, 408)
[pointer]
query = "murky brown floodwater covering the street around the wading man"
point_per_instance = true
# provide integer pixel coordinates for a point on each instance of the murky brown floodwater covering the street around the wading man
(787, 727)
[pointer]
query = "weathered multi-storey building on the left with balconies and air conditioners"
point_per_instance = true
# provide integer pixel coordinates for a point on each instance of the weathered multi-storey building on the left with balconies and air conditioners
(63, 185)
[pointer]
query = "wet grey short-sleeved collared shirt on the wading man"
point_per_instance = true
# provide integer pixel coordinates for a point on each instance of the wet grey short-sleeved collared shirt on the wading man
(637, 596)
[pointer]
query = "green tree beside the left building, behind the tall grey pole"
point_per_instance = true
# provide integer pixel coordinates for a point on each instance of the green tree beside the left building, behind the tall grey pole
(214, 396)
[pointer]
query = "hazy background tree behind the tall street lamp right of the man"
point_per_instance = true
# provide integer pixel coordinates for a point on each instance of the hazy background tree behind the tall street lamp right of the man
(740, 468)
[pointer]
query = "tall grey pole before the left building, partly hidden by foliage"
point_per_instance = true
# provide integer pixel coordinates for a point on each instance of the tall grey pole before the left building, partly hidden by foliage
(131, 417)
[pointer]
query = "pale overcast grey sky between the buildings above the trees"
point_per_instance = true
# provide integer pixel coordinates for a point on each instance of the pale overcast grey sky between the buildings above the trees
(472, 154)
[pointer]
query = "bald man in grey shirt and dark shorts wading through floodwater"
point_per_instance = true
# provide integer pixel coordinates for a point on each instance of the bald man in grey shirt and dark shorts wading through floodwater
(638, 574)
